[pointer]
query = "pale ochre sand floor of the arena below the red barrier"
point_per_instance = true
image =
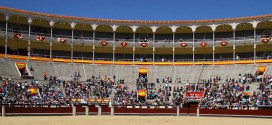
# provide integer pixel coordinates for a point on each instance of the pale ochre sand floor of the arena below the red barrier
(131, 120)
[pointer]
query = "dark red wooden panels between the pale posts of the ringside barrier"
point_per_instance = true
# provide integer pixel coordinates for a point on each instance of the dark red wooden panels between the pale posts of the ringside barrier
(124, 110)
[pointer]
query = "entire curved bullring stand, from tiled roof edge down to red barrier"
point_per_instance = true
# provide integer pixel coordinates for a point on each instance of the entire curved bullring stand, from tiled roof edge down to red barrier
(99, 66)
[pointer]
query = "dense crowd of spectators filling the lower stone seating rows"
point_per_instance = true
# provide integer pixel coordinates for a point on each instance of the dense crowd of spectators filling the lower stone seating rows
(216, 91)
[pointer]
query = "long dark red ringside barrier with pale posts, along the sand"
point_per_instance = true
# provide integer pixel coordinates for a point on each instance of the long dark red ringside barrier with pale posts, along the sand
(106, 110)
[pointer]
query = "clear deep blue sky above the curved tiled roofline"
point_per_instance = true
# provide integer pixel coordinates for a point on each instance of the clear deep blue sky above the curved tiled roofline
(146, 9)
